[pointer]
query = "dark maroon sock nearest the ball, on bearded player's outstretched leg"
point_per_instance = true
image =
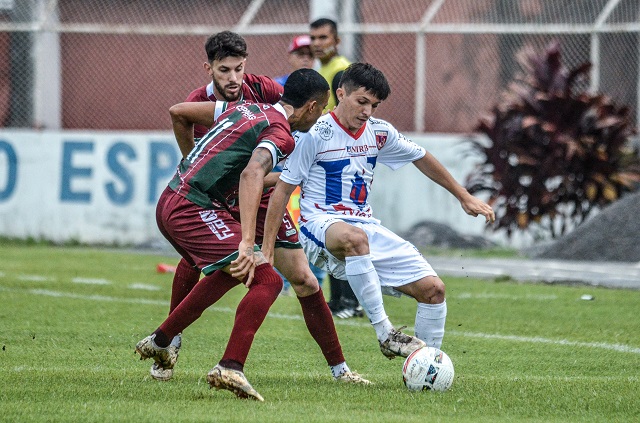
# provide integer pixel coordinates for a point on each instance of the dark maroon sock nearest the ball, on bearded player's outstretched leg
(318, 318)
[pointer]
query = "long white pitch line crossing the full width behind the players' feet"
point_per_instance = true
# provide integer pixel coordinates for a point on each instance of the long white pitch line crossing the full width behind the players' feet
(534, 340)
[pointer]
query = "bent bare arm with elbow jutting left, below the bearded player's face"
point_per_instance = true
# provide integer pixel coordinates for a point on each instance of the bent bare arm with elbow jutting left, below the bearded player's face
(184, 116)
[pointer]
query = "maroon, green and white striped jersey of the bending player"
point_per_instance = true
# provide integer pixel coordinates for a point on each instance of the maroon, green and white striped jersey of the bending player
(210, 175)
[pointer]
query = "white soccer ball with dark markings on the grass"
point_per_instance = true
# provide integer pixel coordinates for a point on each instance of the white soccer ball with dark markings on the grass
(427, 368)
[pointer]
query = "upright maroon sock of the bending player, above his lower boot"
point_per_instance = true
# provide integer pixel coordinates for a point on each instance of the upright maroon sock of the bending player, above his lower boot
(251, 312)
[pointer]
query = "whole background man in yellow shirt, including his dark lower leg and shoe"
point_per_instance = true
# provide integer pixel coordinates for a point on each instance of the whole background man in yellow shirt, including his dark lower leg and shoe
(324, 44)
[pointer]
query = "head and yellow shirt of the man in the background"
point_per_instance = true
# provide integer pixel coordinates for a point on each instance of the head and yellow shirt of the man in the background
(324, 45)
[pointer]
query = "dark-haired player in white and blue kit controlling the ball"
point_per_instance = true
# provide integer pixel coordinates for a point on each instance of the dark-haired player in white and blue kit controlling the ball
(334, 164)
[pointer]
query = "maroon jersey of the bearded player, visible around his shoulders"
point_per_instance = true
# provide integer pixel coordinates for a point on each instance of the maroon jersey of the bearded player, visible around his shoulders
(255, 88)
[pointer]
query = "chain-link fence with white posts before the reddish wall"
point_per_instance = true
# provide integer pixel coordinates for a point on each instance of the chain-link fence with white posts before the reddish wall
(120, 64)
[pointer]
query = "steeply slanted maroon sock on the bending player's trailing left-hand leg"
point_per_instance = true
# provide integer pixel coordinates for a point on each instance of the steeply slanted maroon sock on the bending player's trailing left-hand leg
(206, 292)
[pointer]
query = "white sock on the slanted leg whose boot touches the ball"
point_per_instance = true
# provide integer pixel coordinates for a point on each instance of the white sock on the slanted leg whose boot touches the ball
(364, 281)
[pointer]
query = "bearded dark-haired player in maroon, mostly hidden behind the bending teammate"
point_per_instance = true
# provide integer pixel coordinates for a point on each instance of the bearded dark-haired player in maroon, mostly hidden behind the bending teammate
(226, 52)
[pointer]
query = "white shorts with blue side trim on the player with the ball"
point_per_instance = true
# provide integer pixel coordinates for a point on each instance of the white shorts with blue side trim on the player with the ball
(396, 260)
